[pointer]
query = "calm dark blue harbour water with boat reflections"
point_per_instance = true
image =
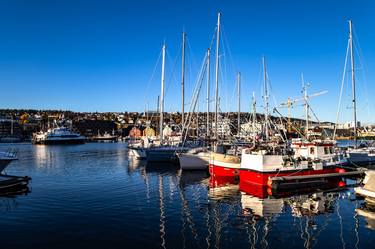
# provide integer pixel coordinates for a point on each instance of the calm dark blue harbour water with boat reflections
(94, 196)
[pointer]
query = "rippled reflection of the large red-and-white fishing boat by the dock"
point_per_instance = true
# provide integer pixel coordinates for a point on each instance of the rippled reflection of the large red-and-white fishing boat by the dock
(262, 208)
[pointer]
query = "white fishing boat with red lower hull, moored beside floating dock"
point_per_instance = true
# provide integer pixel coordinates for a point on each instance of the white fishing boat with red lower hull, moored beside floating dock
(303, 158)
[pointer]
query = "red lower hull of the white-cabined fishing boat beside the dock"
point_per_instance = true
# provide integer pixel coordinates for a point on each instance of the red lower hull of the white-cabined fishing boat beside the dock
(261, 178)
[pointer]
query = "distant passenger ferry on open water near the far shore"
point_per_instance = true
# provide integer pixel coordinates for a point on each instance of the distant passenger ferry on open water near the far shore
(60, 135)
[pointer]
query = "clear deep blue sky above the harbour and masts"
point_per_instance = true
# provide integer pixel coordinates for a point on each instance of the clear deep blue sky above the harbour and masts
(101, 55)
